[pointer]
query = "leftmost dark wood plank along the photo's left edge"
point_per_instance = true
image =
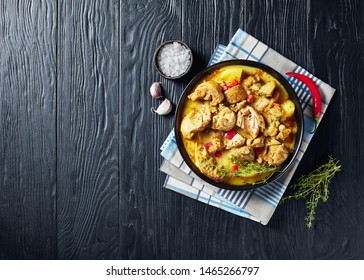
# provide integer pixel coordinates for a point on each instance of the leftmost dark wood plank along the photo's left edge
(28, 134)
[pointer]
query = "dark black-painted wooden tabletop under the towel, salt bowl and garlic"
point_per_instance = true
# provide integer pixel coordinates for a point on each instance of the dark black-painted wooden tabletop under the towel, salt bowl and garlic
(79, 148)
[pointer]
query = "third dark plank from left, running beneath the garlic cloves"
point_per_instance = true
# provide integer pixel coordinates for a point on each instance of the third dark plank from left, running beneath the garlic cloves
(146, 226)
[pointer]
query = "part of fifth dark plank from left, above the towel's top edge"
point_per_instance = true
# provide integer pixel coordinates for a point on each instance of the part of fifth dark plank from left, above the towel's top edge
(282, 25)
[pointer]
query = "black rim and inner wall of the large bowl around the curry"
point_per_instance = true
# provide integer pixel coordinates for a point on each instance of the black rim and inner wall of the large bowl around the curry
(298, 116)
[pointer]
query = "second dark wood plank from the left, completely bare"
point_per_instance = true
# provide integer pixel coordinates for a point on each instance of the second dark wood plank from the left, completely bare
(87, 128)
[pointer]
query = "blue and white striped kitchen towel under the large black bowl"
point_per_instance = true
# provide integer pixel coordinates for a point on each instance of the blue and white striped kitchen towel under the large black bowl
(260, 204)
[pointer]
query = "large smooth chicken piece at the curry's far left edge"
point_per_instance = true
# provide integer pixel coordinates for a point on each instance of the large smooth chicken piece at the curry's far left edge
(195, 121)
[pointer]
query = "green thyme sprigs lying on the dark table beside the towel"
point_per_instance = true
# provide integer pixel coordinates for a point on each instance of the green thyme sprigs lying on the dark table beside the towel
(315, 186)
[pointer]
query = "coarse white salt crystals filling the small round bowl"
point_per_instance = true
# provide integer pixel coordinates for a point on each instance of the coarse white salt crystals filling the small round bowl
(173, 59)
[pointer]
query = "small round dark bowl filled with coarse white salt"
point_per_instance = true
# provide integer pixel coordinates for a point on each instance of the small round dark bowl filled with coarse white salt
(173, 59)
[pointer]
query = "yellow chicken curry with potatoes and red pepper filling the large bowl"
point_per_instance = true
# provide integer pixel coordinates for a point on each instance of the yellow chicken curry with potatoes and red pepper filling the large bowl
(238, 125)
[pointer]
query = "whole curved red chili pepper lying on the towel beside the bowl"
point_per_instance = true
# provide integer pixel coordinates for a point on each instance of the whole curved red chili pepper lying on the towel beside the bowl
(316, 97)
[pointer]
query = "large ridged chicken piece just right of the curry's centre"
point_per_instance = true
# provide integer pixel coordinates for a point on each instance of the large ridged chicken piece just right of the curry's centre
(250, 121)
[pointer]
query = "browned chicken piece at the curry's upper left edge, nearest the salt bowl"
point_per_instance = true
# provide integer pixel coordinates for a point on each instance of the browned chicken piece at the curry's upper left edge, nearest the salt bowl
(208, 91)
